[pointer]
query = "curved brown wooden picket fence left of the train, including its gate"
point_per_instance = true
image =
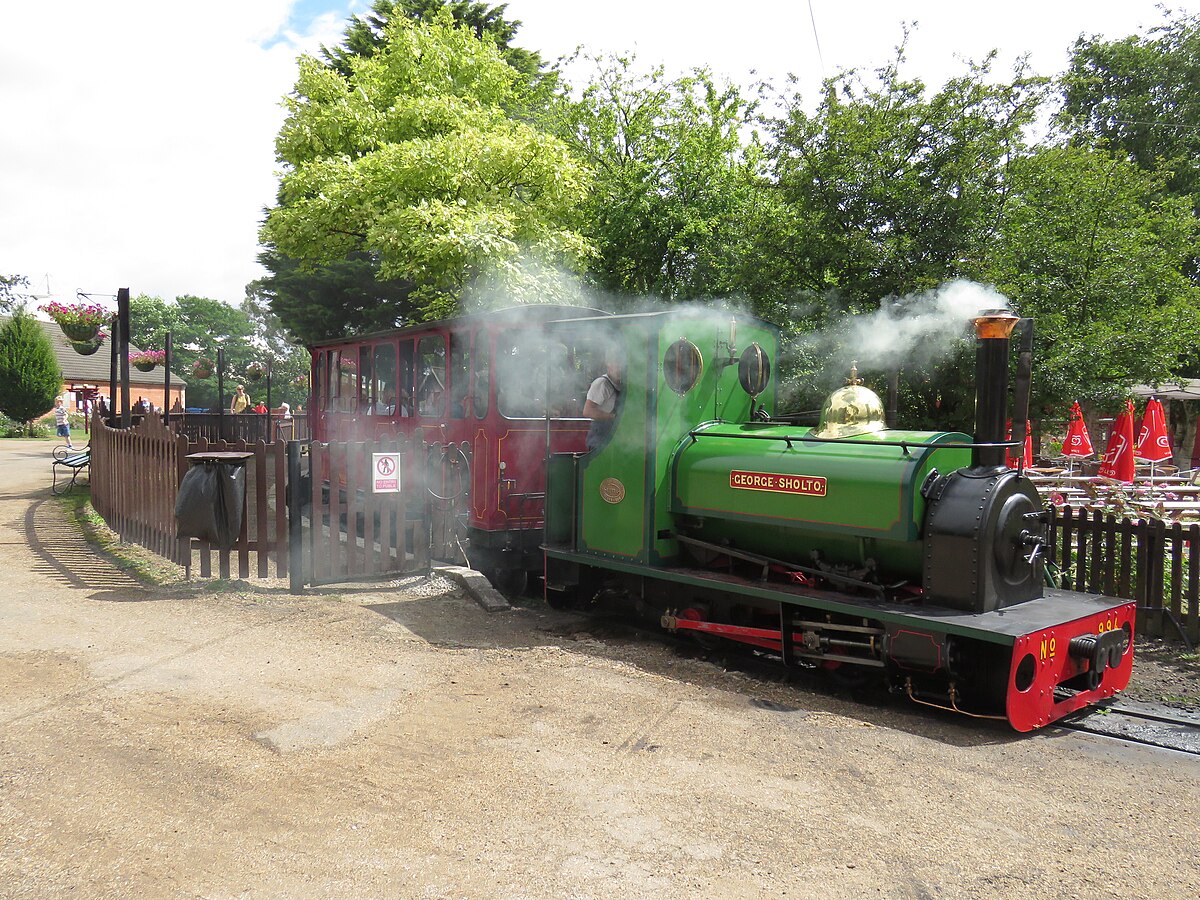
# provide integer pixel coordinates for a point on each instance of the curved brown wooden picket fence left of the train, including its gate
(343, 530)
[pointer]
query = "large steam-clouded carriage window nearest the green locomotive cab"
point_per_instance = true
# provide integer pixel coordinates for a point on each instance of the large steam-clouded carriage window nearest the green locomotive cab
(527, 365)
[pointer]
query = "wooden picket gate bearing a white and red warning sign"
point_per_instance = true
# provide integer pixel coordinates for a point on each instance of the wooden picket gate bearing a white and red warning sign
(357, 512)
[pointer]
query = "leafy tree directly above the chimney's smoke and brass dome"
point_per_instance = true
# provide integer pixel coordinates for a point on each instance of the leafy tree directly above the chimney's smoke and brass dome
(895, 191)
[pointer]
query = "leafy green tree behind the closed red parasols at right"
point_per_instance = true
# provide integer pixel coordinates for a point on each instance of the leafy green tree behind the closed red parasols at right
(1095, 250)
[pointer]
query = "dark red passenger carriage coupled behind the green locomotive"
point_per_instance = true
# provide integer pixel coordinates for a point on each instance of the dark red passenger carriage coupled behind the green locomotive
(477, 391)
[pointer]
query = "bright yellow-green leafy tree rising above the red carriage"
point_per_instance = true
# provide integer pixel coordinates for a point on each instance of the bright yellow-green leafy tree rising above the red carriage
(413, 160)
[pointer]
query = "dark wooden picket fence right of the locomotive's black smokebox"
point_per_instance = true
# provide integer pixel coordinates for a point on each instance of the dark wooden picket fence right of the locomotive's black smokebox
(1149, 561)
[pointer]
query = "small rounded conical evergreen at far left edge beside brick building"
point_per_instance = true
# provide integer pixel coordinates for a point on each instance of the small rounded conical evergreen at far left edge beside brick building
(31, 377)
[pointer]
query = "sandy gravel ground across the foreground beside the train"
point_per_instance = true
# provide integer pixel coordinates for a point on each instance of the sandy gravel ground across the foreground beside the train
(398, 741)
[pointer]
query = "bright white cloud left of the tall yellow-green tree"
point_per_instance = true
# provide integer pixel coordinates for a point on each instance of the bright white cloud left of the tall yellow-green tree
(137, 145)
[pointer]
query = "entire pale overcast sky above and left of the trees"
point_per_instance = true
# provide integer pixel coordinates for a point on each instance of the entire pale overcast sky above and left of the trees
(137, 136)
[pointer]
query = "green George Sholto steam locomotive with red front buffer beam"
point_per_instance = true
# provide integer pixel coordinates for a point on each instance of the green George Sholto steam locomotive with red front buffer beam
(850, 547)
